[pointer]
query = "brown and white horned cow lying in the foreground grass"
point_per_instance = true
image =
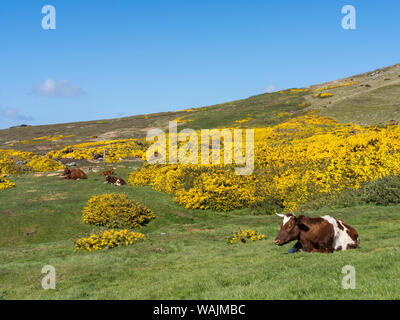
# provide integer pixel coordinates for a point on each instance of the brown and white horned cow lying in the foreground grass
(324, 234)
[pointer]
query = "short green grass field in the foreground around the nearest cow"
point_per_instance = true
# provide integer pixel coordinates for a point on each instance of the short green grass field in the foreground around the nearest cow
(186, 256)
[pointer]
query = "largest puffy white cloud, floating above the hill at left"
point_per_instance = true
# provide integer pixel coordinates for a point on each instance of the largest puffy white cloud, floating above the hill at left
(61, 88)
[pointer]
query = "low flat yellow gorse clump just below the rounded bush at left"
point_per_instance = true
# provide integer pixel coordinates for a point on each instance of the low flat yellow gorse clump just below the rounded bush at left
(108, 239)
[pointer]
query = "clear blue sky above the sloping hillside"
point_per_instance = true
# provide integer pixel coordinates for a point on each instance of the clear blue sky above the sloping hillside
(108, 59)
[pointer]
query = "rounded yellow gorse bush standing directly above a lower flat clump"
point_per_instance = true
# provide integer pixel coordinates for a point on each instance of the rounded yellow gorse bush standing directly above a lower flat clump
(116, 210)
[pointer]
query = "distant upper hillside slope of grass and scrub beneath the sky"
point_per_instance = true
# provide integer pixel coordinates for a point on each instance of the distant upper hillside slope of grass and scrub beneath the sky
(372, 99)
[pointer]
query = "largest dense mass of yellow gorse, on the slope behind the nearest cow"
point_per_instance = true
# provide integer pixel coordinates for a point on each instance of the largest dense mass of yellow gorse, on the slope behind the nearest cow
(300, 160)
